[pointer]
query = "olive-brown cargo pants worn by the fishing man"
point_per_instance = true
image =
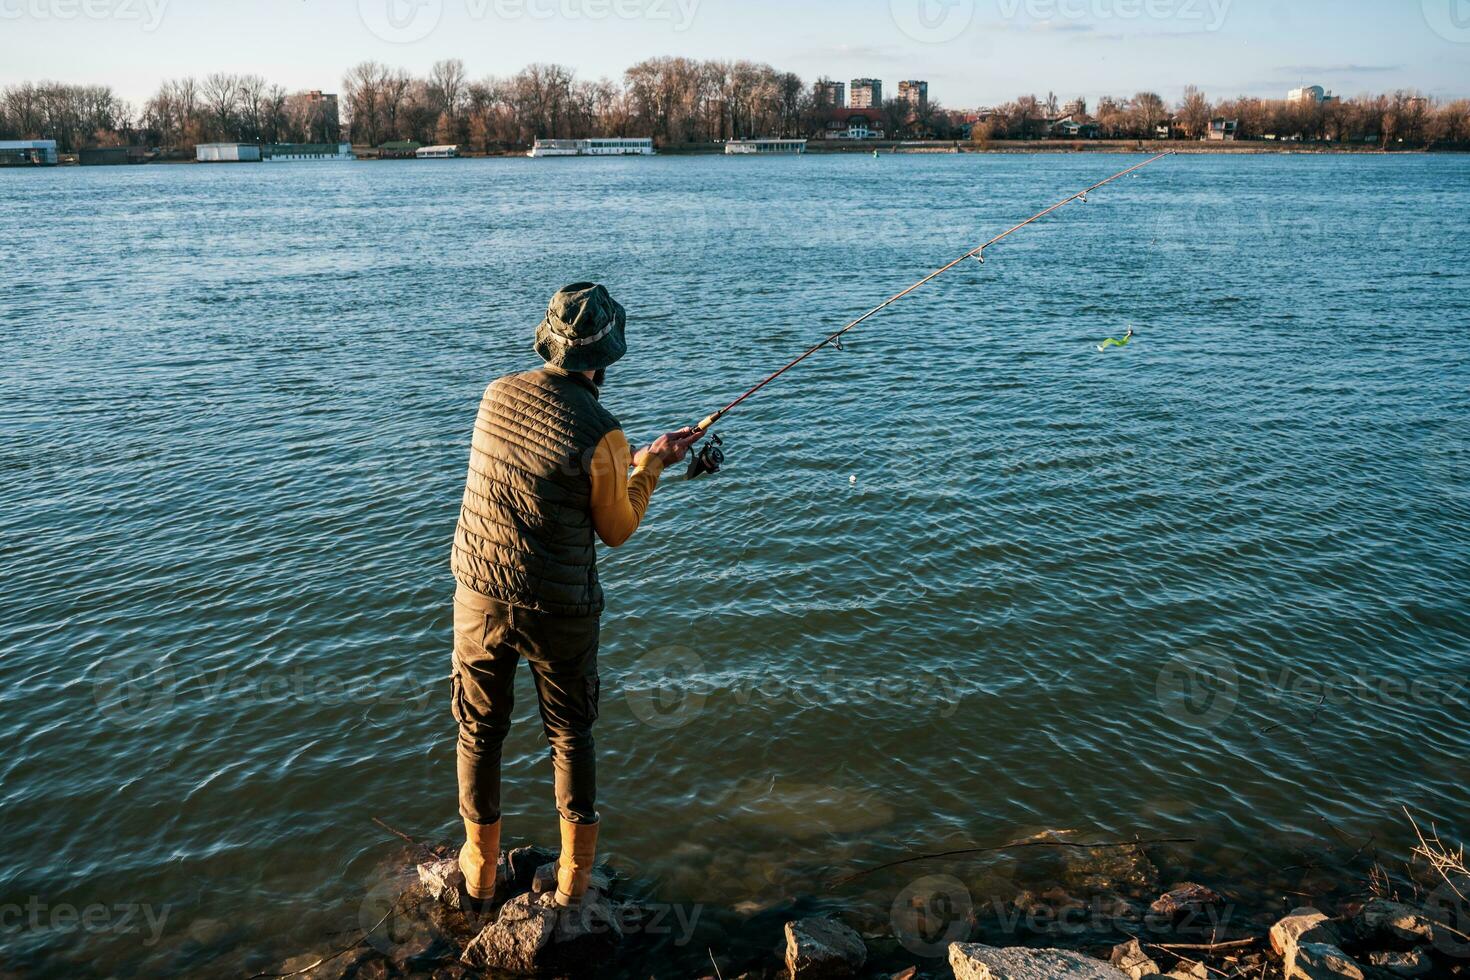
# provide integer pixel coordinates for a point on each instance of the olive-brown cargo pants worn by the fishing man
(490, 640)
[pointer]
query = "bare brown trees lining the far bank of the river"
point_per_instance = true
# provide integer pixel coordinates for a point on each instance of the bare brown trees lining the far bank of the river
(671, 99)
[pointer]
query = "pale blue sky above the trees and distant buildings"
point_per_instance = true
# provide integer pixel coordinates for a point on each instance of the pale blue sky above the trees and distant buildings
(971, 52)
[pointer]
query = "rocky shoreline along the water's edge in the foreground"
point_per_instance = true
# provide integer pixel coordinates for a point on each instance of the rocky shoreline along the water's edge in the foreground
(1106, 916)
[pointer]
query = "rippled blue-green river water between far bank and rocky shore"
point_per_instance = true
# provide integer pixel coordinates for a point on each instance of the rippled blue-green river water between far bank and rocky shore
(962, 583)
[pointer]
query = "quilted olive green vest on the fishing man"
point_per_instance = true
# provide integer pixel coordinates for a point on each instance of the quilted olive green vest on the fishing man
(526, 528)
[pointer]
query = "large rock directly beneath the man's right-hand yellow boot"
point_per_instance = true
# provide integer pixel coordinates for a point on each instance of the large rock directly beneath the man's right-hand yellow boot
(534, 935)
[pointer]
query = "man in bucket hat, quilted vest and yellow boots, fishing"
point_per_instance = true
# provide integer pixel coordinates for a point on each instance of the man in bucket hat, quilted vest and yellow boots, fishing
(549, 468)
